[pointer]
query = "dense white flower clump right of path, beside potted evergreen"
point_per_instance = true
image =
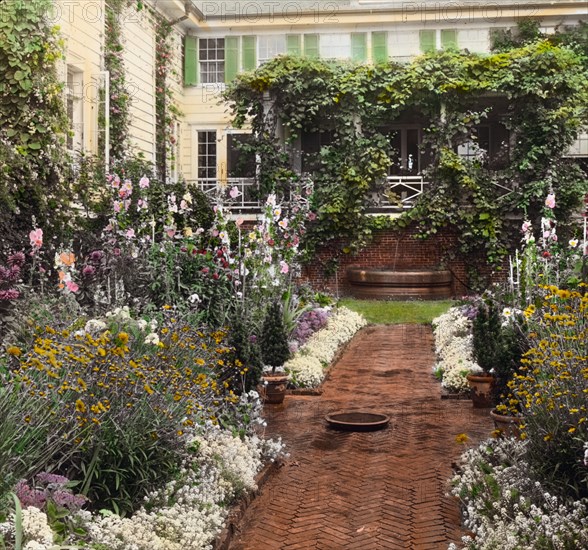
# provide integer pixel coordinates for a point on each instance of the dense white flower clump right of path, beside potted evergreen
(454, 348)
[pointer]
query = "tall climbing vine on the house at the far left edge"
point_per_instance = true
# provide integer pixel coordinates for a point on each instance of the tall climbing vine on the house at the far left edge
(33, 122)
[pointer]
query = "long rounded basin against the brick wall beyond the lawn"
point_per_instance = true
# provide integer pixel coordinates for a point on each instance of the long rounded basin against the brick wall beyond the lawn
(400, 284)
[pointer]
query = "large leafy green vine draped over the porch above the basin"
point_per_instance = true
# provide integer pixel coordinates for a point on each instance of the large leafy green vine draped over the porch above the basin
(541, 85)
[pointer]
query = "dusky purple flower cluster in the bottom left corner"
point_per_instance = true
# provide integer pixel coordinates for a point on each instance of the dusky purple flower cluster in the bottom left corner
(48, 487)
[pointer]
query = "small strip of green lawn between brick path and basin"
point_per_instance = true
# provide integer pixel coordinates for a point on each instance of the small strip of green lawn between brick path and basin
(392, 312)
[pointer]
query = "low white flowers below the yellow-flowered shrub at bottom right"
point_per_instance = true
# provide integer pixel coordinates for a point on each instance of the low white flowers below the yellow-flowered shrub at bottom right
(507, 509)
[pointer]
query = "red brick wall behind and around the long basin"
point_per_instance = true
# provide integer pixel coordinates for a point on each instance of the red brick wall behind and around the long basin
(401, 250)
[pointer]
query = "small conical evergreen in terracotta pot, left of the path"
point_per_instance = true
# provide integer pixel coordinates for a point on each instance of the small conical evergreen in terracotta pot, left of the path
(274, 352)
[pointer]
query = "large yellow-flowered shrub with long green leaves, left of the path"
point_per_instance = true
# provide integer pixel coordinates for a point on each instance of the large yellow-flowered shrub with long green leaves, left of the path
(121, 403)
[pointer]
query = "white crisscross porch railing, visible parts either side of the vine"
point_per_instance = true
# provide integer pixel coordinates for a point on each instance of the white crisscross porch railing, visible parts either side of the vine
(395, 194)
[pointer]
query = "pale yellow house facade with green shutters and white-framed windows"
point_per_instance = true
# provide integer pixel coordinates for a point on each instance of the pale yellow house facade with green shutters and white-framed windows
(214, 41)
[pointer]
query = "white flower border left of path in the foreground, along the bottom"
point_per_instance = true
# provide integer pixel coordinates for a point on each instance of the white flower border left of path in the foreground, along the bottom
(187, 513)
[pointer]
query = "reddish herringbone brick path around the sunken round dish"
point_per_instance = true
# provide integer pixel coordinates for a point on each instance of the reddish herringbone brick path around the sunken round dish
(370, 490)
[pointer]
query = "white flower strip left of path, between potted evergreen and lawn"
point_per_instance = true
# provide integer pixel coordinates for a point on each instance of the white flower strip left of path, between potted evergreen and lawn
(307, 369)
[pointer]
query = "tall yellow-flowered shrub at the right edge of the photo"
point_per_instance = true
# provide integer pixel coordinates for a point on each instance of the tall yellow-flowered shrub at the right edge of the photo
(551, 387)
